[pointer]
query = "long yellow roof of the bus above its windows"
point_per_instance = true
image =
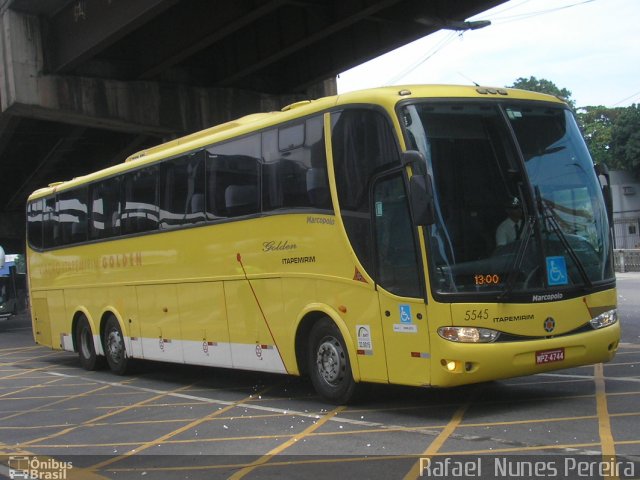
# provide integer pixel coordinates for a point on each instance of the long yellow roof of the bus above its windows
(384, 96)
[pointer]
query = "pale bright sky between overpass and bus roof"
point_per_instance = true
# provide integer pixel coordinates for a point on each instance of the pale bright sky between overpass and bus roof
(589, 47)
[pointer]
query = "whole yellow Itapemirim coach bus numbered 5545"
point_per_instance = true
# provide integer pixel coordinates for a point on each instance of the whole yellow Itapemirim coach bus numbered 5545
(356, 238)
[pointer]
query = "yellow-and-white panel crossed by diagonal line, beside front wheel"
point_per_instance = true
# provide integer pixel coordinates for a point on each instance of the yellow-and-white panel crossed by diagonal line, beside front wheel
(252, 345)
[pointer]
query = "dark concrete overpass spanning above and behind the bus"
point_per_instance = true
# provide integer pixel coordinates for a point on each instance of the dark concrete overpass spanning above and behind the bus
(85, 83)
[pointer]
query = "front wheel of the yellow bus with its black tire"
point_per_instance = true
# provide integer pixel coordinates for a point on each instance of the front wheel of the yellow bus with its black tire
(329, 366)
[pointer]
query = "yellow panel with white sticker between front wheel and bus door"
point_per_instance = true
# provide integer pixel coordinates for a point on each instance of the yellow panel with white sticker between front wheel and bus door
(362, 318)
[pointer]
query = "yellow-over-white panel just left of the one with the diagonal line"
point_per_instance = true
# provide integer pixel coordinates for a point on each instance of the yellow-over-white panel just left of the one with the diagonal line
(203, 322)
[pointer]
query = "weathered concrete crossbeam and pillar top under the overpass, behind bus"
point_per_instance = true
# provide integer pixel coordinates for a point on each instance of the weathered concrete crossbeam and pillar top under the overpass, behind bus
(144, 107)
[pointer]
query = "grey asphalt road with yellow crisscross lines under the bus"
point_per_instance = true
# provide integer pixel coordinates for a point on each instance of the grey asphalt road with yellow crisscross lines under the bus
(175, 422)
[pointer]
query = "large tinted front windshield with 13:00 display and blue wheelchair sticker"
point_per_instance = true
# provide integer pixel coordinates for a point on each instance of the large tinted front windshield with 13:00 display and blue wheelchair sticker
(518, 205)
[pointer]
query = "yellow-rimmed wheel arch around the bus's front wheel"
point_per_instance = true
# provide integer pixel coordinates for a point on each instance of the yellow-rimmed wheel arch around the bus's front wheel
(309, 317)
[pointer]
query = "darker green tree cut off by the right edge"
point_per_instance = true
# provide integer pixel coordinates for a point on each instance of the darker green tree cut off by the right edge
(625, 140)
